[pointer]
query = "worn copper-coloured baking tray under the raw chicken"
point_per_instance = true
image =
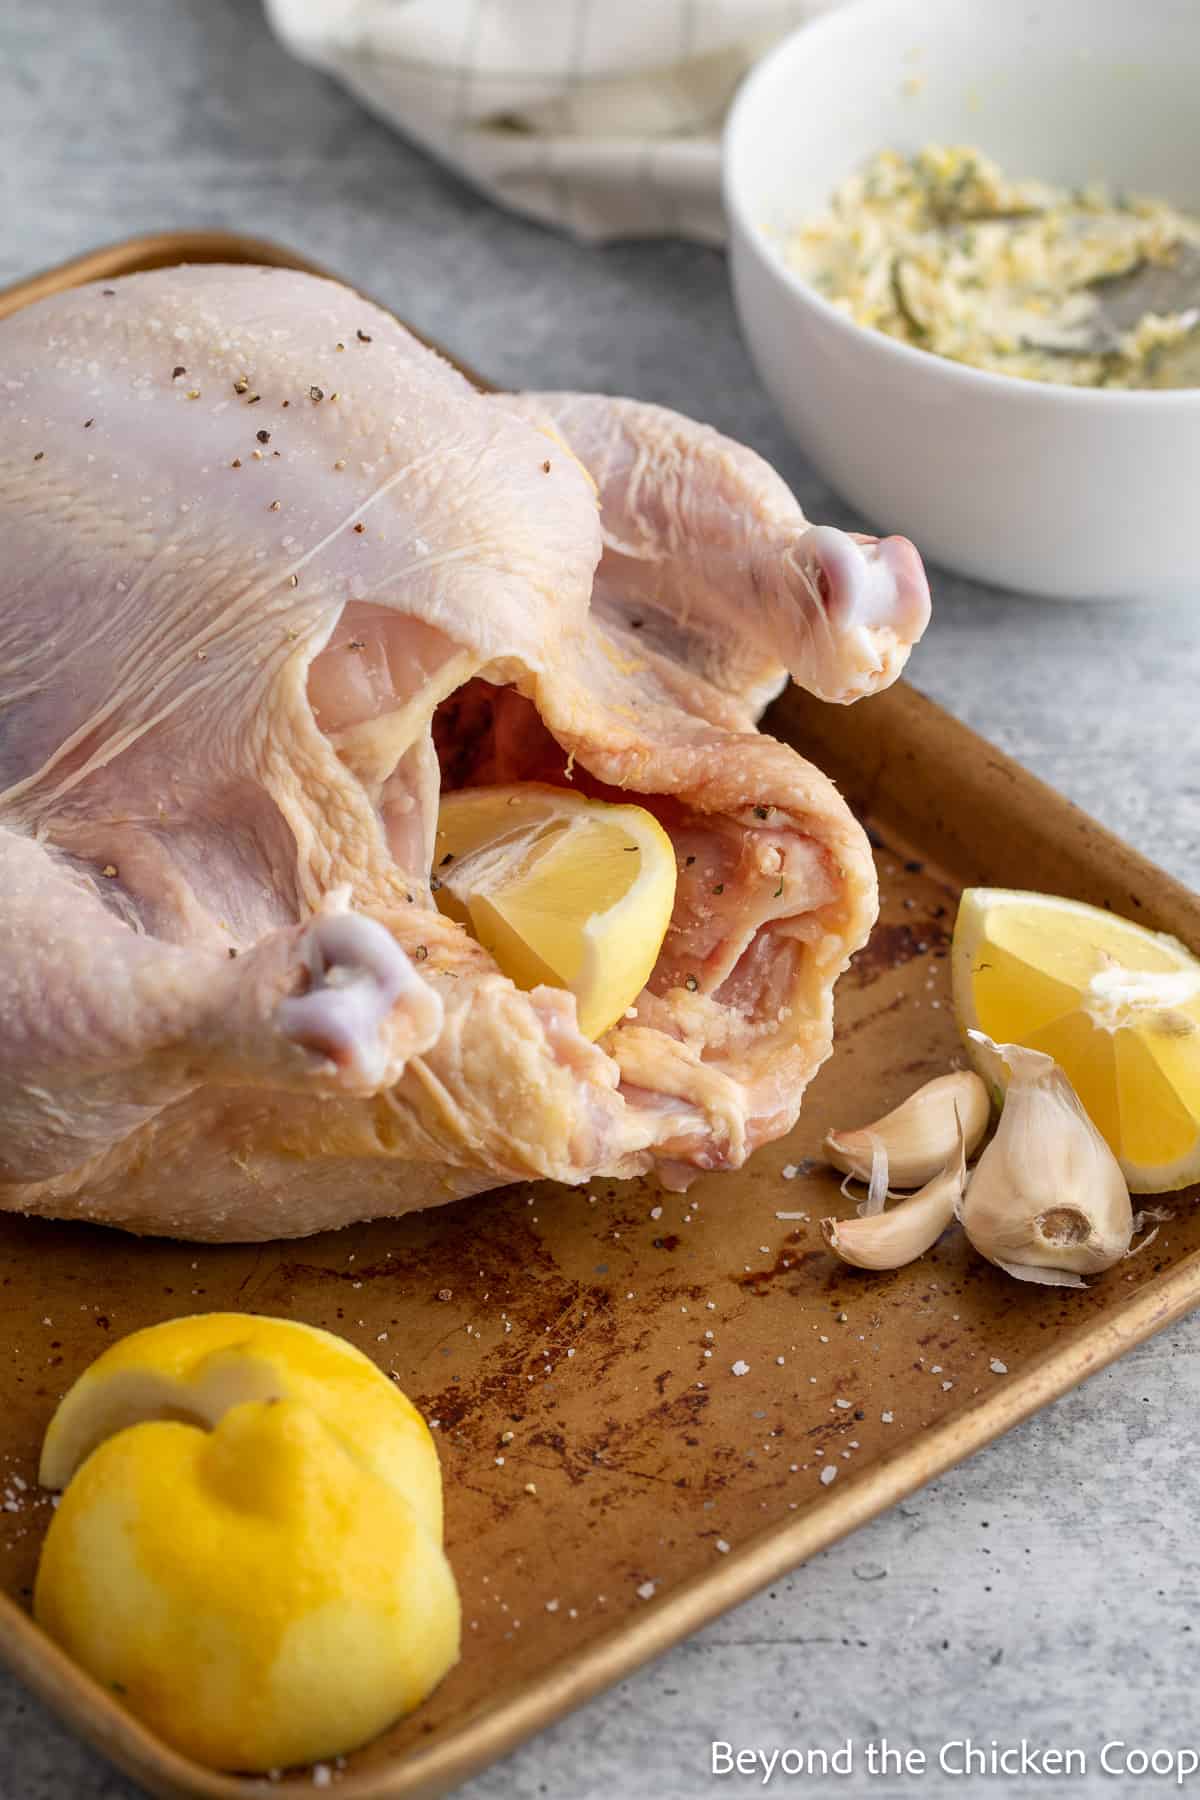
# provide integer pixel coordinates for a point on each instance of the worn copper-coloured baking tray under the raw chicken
(645, 1488)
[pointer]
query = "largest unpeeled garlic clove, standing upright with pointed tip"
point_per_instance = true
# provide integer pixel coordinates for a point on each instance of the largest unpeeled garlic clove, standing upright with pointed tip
(1048, 1201)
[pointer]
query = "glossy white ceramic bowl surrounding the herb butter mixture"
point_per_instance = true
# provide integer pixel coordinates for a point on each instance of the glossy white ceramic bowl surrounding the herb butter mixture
(1077, 494)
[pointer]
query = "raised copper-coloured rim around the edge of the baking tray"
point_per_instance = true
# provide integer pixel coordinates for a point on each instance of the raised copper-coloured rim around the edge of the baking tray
(771, 1552)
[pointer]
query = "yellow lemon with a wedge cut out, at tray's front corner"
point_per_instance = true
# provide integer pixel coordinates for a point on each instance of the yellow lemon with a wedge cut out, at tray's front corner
(247, 1551)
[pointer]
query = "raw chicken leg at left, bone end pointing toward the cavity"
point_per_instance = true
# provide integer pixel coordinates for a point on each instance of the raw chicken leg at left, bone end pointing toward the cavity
(105, 1025)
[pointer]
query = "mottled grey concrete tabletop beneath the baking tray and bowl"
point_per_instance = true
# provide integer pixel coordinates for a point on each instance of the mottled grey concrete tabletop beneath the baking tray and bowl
(1046, 1590)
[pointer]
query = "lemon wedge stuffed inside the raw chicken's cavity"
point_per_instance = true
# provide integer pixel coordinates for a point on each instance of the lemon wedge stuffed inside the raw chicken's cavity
(562, 890)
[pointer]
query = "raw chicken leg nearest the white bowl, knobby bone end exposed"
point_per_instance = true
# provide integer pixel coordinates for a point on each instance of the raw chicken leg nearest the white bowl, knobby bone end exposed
(697, 525)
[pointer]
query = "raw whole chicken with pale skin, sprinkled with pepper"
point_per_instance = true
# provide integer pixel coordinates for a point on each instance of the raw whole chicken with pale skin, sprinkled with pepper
(274, 577)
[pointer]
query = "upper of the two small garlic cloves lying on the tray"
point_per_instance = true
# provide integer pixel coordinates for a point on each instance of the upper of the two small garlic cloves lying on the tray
(920, 1137)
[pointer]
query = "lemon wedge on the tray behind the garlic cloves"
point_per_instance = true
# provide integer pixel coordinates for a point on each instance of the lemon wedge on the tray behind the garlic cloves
(1115, 1003)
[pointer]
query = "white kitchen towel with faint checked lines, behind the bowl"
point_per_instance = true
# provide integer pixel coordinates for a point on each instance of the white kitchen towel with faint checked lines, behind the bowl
(600, 116)
